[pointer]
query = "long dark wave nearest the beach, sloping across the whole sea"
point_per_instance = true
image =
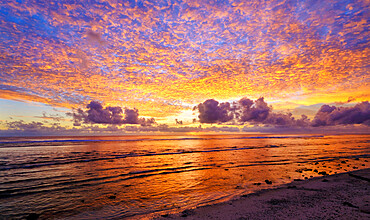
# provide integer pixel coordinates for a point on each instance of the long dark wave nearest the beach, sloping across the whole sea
(63, 182)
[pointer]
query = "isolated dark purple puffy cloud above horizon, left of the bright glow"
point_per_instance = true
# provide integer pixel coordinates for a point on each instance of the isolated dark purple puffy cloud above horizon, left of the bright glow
(97, 114)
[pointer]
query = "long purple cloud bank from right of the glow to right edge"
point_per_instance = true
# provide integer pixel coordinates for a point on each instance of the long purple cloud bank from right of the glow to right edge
(258, 112)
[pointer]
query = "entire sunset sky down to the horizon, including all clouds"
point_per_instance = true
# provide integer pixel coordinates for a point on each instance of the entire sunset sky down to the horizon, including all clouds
(147, 66)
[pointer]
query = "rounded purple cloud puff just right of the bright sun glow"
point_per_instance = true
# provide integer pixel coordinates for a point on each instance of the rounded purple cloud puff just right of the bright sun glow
(211, 111)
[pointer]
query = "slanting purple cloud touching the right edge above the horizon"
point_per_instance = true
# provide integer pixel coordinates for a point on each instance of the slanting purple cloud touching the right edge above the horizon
(331, 115)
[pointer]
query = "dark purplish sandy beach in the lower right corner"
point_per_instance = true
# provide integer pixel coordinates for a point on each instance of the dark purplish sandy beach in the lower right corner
(339, 196)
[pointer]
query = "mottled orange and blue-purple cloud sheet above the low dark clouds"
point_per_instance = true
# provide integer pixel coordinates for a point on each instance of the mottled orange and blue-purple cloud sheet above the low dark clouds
(161, 58)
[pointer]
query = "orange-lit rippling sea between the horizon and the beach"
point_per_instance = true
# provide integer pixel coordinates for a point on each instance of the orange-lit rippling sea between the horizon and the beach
(115, 177)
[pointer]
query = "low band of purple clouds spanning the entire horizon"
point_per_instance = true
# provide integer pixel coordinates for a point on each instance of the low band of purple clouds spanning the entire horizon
(245, 115)
